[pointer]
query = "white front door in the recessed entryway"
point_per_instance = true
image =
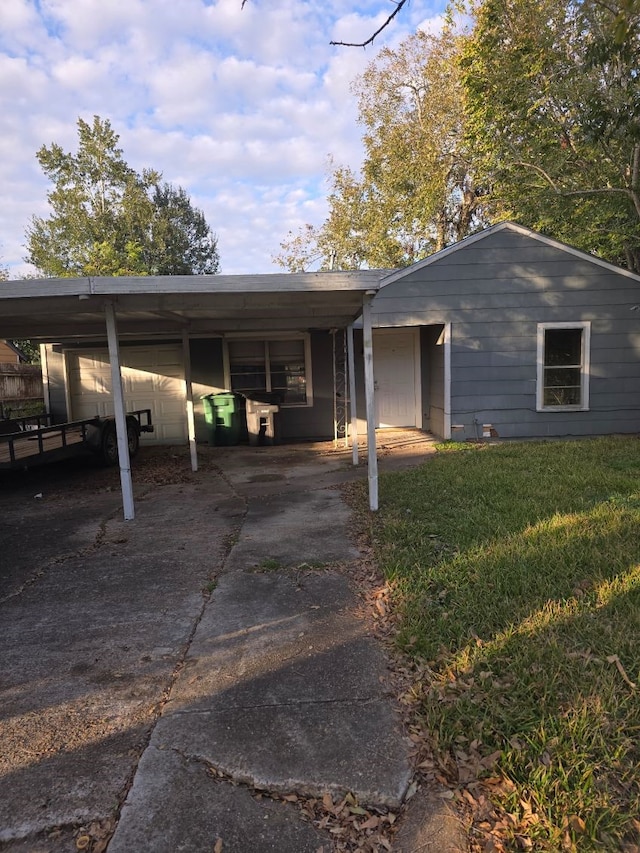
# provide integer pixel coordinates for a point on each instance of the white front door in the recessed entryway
(396, 377)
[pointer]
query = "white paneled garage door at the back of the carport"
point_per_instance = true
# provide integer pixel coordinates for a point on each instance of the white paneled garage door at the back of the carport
(152, 378)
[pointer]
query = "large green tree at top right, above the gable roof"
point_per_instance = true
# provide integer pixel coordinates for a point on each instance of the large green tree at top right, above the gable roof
(553, 99)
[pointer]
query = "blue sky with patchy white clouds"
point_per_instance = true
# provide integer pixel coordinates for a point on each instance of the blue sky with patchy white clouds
(242, 107)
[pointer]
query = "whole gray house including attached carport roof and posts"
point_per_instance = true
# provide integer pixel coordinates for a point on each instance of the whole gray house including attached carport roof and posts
(508, 333)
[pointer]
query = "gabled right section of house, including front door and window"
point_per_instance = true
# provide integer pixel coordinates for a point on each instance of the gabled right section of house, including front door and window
(512, 334)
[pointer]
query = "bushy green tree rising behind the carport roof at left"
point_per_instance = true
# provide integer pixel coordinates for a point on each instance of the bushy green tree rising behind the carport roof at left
(109, 220)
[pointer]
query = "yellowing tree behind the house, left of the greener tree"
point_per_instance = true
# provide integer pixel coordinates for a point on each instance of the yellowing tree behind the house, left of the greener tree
(416, 192)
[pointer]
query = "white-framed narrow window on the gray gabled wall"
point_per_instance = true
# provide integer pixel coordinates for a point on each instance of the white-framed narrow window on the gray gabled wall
(563, 366)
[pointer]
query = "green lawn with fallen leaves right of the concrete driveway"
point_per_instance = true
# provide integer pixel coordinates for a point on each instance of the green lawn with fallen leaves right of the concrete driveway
(515, 572)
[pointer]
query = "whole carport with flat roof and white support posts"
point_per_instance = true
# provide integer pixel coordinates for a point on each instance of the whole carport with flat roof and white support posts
(84, 310)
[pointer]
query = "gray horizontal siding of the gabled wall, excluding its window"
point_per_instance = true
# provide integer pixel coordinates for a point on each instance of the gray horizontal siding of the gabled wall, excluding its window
(494, 293)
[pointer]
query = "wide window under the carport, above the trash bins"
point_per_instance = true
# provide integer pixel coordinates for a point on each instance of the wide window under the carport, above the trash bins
(277, 365)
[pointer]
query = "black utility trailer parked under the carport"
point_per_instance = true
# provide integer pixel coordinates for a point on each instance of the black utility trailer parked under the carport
(29, 441)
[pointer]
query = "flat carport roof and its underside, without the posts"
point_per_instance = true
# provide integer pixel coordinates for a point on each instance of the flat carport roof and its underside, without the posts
(55, 309)
